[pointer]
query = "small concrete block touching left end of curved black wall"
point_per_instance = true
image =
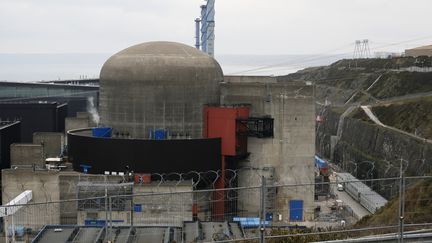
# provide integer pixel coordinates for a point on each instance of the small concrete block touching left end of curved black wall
(52, 143)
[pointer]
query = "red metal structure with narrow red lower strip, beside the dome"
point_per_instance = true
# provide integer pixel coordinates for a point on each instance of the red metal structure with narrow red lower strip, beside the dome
(223, 122)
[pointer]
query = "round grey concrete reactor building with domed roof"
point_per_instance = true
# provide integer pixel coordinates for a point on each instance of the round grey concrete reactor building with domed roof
(158, 85)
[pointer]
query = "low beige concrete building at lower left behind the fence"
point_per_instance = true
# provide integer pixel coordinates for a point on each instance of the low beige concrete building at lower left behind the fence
(48, 186)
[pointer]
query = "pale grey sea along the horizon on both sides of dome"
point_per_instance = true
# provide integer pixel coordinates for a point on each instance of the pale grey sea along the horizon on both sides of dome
(50, 67)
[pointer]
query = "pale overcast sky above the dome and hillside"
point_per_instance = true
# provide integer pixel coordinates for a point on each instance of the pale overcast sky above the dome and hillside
(242, 26)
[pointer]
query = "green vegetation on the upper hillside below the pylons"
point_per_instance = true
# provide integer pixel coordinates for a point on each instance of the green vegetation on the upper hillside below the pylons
(358, 75)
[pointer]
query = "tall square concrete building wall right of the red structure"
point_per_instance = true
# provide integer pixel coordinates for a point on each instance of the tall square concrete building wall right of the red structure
(290, 153)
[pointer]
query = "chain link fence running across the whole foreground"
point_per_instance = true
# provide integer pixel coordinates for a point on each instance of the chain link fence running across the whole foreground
(149, 212)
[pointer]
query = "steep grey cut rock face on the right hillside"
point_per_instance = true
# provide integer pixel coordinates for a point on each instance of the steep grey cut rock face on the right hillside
(361, 142)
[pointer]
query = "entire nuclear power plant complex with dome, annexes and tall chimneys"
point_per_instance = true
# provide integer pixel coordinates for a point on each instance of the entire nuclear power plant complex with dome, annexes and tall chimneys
(162, 142)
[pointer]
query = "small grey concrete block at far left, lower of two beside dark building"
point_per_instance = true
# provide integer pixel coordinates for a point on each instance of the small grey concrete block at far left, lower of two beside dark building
(27, 154)
